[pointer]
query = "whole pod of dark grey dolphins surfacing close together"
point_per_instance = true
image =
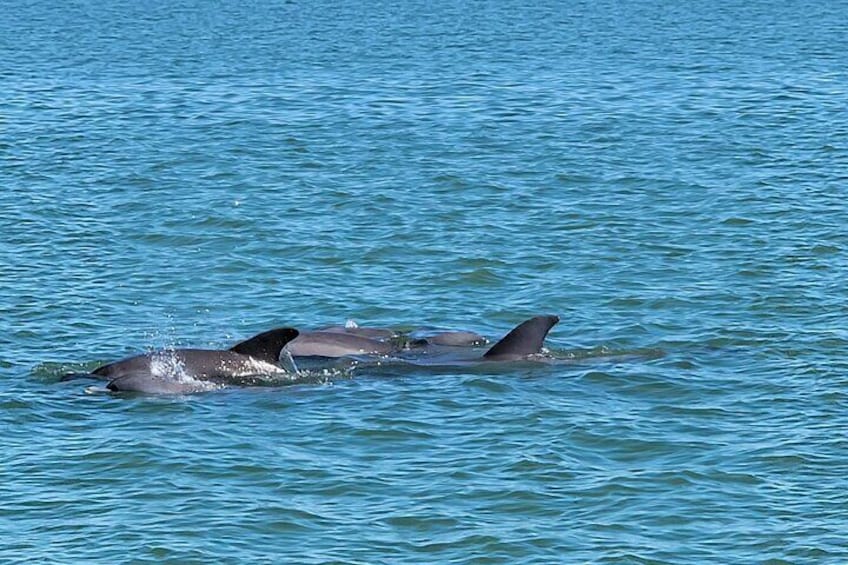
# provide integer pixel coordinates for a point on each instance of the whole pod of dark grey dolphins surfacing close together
(193, 370)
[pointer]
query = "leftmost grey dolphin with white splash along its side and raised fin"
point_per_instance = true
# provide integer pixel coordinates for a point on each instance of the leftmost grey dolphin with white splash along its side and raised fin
(193, 370)
